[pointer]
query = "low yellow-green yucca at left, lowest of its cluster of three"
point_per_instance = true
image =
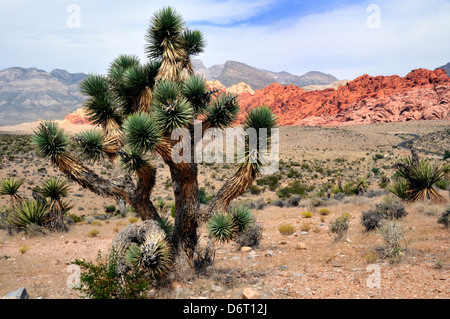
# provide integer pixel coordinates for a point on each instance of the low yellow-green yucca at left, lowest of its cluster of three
(30, 214)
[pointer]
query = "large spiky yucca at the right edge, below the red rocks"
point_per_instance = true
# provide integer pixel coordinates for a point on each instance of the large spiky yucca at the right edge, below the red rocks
(420, 176)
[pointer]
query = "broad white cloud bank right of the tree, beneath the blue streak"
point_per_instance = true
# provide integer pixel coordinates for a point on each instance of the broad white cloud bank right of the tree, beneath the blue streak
(412, 34)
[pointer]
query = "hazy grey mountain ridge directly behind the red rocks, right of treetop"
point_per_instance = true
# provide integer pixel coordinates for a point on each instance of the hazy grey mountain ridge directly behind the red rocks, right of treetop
(232, 72)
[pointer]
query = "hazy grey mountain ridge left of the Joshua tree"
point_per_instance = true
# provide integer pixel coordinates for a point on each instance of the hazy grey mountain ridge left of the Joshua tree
(30, 94)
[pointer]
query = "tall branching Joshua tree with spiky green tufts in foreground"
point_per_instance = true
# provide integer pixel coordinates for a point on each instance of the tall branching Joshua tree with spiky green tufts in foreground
(137, 108)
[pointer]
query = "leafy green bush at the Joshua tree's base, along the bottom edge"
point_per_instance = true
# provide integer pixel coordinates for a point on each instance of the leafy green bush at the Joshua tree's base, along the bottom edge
(100, 280)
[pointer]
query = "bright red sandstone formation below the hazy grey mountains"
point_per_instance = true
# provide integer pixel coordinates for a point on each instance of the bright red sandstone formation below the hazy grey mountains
(420, 95)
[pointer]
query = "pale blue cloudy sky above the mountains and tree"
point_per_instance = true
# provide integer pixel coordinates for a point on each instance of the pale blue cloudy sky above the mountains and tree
(344, 38)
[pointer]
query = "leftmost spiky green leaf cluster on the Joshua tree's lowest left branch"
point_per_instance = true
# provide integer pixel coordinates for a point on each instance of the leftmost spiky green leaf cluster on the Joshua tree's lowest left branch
(50, 140)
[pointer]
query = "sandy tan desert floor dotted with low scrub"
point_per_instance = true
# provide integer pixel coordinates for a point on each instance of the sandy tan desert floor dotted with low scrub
(305, 264)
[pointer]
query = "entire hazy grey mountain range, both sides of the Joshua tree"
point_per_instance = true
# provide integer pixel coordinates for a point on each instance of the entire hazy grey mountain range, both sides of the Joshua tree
(30, 94)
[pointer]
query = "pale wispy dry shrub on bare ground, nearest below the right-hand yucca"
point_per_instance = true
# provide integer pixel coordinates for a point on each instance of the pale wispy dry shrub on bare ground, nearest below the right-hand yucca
(392, 235)
